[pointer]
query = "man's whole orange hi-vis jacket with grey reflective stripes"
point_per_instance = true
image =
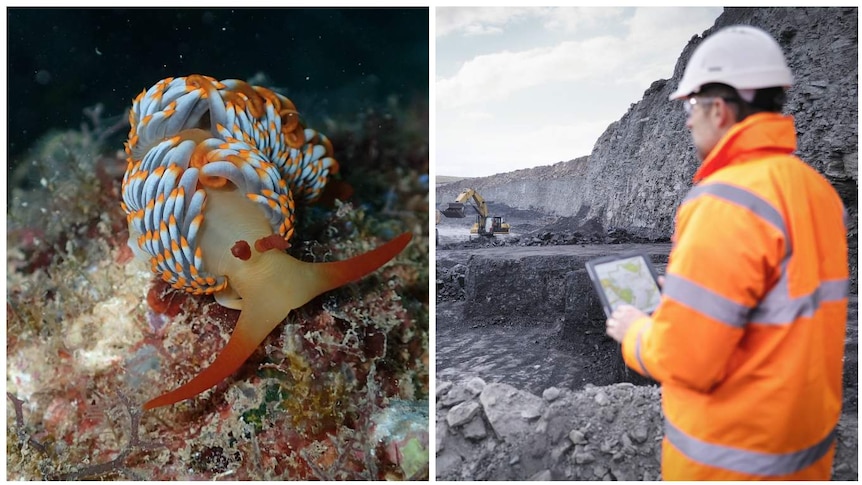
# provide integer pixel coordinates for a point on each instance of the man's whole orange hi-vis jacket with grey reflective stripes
(748, 340)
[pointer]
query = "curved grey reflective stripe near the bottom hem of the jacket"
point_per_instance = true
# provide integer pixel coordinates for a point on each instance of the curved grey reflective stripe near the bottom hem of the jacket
(743, 461)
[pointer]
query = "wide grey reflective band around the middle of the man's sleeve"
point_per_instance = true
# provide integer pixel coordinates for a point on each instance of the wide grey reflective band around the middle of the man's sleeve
(705, 301)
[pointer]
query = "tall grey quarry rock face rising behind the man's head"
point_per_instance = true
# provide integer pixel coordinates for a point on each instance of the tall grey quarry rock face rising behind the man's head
(641, 167)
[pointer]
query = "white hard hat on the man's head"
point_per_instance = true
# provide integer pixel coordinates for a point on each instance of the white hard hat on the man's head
(740, 56)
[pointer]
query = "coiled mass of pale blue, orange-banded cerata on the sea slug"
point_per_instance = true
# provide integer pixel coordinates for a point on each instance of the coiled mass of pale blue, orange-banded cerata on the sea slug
(191, 132)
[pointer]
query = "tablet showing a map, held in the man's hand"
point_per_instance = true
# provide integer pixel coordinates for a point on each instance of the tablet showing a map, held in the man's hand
(625, 279)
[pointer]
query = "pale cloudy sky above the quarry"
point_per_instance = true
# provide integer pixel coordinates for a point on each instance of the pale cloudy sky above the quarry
(524, 87)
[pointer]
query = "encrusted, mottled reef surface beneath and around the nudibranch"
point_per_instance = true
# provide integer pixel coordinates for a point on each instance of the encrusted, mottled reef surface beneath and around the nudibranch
(338, 391)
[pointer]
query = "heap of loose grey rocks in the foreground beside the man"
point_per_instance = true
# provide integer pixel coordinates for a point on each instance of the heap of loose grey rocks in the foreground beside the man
(490, 431)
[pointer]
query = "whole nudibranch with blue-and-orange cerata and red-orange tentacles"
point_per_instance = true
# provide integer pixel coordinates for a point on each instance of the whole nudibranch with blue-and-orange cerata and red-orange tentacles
(214, 171)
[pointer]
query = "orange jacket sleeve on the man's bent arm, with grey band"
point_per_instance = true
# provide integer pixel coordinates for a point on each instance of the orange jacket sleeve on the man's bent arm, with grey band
(724, 259)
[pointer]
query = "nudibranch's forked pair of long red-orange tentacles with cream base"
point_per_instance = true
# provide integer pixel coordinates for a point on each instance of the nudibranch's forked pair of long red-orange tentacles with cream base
(268, 296)
